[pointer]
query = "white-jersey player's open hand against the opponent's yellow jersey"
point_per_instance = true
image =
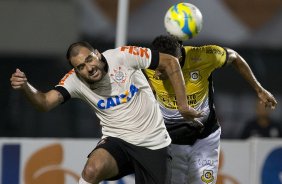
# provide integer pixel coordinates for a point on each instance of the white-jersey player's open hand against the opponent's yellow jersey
(191, 114)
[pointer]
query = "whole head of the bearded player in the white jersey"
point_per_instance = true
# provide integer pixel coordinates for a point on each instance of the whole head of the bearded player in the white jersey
(86, 61)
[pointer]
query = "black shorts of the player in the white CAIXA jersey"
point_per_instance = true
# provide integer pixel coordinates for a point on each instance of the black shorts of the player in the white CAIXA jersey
(149, 166)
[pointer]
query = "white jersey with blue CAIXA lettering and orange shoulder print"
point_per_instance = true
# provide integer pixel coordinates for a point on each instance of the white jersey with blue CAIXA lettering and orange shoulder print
(123, 99)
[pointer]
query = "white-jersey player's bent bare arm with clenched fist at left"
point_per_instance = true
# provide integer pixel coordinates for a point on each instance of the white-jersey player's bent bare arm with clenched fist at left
(41, 101)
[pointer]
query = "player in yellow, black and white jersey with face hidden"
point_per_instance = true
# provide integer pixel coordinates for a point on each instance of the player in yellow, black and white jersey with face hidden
(195, 152)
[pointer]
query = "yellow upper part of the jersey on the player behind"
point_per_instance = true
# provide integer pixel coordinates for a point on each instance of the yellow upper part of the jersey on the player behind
(200, 62)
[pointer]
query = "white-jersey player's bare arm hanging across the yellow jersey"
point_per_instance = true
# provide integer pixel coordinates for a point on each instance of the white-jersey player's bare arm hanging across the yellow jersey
(171, 67)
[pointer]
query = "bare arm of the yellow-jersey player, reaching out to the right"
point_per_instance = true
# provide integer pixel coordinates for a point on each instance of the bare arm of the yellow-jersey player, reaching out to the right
(244, 69)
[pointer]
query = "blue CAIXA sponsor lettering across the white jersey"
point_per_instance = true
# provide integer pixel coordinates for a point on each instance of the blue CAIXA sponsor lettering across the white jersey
(119, 99)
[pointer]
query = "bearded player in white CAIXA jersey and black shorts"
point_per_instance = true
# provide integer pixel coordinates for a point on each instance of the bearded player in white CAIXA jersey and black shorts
(135, 139)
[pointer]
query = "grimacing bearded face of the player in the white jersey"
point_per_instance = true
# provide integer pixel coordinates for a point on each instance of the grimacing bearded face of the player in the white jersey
(89, 65)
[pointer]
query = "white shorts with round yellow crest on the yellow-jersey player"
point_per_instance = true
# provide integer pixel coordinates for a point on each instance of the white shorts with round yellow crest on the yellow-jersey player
(197, 163)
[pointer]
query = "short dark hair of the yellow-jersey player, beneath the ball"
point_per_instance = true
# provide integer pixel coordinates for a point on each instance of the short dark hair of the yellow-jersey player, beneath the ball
(167, 44)
